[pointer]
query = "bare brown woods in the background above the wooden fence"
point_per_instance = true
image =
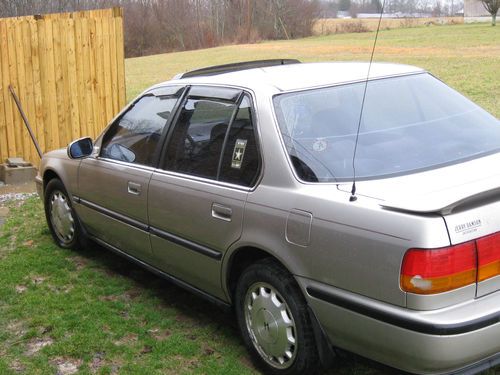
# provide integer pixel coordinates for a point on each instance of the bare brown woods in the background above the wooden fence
(158, 26)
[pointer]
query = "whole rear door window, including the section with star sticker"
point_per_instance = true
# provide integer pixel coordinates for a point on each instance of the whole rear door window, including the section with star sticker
(214, 138)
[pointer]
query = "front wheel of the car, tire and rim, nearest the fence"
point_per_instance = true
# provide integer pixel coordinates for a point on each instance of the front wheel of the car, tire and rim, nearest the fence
(63, 221)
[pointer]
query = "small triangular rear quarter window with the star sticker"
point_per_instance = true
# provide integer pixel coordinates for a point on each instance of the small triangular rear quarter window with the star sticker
(240, 159)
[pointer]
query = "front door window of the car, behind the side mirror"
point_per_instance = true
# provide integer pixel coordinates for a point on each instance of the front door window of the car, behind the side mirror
(134, 136)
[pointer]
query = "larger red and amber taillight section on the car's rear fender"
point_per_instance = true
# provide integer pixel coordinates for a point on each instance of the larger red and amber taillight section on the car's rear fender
(429, 271)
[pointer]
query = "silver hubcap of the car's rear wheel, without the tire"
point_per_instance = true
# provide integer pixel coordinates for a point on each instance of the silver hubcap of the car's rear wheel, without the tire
(270, 325)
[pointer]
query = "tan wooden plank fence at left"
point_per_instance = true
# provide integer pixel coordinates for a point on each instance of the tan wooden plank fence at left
(69, 74)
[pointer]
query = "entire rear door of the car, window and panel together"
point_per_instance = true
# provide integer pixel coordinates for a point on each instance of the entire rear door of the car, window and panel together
(197, 196)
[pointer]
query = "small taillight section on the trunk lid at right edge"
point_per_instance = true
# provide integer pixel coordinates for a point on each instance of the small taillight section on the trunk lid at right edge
(488, 250)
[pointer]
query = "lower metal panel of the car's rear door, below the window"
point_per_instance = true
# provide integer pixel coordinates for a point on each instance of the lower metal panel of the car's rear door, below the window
(209, 215)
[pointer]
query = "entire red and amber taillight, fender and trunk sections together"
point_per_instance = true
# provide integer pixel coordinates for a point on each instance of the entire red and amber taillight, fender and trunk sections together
(429, 271)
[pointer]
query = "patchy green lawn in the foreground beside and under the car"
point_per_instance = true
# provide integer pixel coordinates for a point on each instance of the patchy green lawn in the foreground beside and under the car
(102, 314)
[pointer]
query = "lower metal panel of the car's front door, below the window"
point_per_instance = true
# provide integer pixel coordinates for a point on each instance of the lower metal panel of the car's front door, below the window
(113, 204)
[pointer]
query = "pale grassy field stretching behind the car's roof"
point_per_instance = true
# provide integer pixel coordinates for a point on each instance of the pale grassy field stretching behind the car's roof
(467, 57)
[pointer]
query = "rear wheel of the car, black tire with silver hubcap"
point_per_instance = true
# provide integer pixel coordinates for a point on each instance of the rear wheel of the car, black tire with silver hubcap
(279, 334)
